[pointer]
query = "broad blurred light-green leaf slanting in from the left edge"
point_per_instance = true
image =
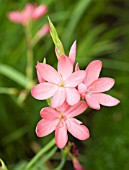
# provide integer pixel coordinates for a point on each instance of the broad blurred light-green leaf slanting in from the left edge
(13, 74)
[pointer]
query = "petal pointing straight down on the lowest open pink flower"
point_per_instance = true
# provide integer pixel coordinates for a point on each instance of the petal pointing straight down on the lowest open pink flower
(61, 135)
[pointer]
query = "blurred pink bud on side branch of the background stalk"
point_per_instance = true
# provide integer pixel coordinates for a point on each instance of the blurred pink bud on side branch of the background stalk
(43, 31)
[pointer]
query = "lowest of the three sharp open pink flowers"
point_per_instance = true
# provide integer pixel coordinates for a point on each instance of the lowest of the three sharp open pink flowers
(62, 120)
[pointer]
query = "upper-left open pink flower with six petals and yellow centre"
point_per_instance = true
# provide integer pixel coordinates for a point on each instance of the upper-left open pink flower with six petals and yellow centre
(61, 85)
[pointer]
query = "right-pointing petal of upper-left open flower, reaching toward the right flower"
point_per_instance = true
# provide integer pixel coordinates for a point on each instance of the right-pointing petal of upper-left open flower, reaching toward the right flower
(75, 79)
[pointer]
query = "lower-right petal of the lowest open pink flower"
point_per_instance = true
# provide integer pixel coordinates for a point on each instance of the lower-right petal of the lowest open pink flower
(80, 132)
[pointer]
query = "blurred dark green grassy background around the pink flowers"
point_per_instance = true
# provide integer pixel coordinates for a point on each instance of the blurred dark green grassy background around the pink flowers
(101, 28)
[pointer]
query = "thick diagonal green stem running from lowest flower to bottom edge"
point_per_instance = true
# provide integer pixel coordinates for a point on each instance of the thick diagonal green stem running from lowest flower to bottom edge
(41, 152)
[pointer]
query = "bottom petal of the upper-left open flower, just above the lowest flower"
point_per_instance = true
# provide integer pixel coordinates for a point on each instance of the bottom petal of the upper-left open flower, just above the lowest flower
(58, 98)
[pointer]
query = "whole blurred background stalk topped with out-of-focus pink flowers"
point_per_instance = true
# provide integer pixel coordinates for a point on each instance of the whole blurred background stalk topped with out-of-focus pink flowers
(25, 17)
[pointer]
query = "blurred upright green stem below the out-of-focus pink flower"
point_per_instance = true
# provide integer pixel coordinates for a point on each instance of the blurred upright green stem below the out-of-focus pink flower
(29, 67)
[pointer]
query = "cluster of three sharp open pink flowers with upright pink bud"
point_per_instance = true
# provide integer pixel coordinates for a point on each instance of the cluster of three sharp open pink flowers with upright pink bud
(70, 92)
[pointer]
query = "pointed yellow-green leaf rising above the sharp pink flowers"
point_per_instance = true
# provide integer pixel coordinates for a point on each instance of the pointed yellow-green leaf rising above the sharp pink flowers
(55, 38)
